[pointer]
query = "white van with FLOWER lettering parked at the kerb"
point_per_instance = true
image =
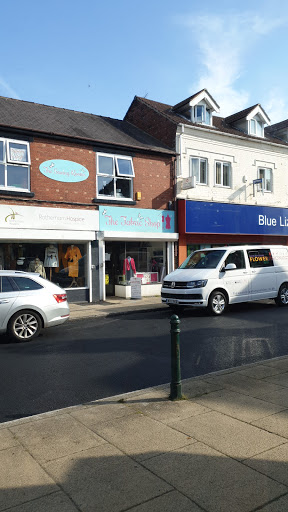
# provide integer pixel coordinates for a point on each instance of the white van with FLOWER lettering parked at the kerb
(214, 278)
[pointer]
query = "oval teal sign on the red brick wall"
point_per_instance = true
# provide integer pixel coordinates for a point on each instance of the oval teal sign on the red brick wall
(64, 170)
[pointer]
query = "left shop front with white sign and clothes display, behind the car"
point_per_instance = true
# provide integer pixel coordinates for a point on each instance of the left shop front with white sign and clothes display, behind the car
(54, 242)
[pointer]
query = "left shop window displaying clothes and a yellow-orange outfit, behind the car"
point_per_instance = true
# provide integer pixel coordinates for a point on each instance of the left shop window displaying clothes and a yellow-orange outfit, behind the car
(63, 264)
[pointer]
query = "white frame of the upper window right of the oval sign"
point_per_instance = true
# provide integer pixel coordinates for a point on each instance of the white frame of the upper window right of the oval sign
(116, 175)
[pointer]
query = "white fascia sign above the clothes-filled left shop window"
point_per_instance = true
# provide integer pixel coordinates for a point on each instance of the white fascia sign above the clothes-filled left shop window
(33, 217)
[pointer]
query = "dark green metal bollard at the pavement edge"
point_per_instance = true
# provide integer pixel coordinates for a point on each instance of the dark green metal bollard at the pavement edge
(175, 386)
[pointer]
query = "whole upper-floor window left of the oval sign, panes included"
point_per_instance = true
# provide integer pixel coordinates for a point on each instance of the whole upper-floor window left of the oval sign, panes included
(14, 165)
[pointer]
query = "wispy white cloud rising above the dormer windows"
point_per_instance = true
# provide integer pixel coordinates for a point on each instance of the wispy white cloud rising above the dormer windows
(223, 42)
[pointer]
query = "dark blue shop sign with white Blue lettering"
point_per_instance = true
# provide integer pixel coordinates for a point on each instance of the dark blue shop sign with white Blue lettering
(221, 218)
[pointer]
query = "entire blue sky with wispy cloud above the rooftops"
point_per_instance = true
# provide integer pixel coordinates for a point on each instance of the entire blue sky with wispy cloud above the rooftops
(95, 56)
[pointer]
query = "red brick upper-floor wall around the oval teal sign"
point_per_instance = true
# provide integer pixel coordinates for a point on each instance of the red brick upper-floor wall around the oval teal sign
(153, 178)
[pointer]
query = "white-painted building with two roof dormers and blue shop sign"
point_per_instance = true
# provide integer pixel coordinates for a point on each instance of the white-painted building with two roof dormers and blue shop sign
(231, 178)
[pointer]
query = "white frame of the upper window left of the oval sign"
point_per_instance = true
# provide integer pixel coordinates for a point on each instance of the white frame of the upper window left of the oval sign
(7, 161)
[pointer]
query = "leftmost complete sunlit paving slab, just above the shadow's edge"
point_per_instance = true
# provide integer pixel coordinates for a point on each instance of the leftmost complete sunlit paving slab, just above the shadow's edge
(51, 438)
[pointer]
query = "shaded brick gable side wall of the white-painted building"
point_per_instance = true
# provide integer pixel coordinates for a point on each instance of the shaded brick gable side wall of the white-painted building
(152, 122)
